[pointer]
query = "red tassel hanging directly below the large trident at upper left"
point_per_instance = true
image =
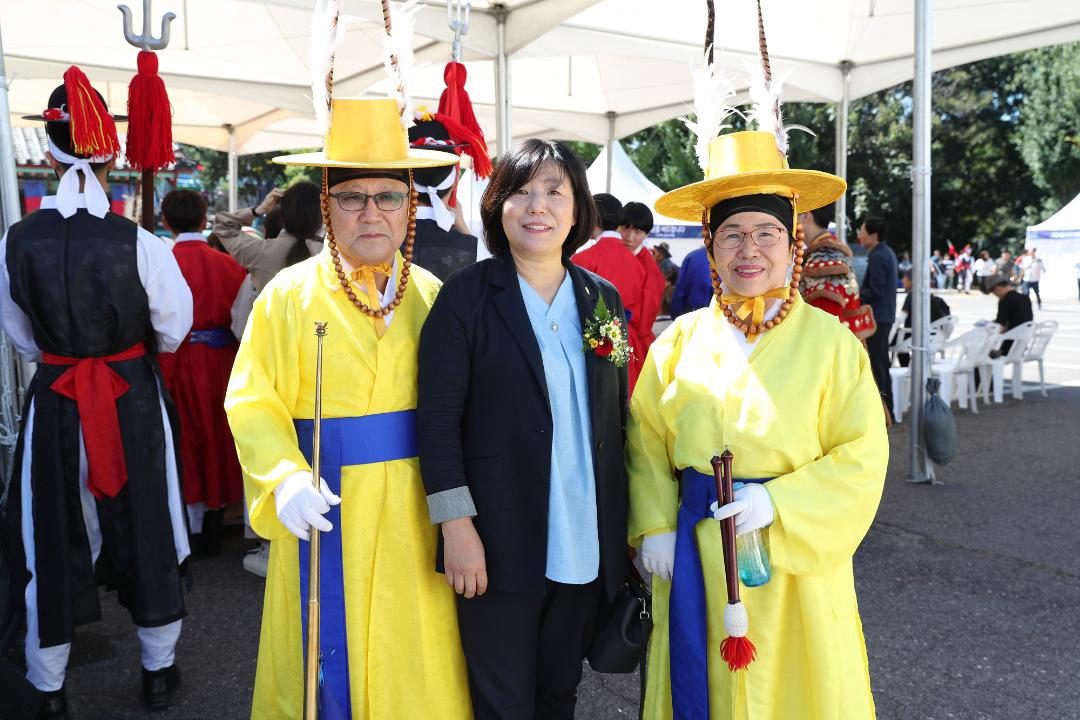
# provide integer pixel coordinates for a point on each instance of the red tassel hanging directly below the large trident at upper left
(150, 118)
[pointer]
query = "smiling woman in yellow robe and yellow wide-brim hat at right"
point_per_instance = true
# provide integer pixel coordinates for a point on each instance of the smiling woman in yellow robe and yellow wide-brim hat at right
(790, 392)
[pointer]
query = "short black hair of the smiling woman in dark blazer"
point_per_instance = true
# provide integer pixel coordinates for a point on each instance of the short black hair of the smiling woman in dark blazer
(517, 169)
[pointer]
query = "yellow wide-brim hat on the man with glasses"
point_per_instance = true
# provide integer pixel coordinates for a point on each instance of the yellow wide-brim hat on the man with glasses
(368, 133)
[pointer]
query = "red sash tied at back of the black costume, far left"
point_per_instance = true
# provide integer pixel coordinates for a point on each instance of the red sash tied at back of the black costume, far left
(96, 388)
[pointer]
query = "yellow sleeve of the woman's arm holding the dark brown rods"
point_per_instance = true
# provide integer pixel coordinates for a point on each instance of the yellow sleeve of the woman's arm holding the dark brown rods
(825, 509)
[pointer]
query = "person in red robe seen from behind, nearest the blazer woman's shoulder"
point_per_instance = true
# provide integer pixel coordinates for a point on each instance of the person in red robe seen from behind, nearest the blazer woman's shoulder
(610, 259)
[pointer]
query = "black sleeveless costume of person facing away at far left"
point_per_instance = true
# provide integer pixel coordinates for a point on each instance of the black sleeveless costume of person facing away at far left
(78, 282)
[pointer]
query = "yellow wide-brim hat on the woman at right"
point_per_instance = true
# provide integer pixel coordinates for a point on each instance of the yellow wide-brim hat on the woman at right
(749, 164)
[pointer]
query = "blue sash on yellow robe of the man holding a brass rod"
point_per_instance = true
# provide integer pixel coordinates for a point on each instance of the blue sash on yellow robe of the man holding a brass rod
(345, 442)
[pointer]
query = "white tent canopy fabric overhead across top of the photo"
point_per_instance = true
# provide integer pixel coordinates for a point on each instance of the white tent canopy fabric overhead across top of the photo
(245, 62)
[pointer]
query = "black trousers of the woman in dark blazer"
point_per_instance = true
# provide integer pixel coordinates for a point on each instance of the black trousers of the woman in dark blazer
(524, 654)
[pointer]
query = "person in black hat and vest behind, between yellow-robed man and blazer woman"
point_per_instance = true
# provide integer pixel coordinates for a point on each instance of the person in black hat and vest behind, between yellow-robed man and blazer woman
(444, 242)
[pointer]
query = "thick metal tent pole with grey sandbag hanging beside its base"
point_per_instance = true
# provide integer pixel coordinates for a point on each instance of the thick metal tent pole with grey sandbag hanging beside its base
(921, 469)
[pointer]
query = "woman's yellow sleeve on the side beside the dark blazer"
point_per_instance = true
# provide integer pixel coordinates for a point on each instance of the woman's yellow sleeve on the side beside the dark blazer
(654, 494)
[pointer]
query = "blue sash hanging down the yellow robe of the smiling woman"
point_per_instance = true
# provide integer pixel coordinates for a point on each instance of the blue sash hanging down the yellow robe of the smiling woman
(686, 618)
